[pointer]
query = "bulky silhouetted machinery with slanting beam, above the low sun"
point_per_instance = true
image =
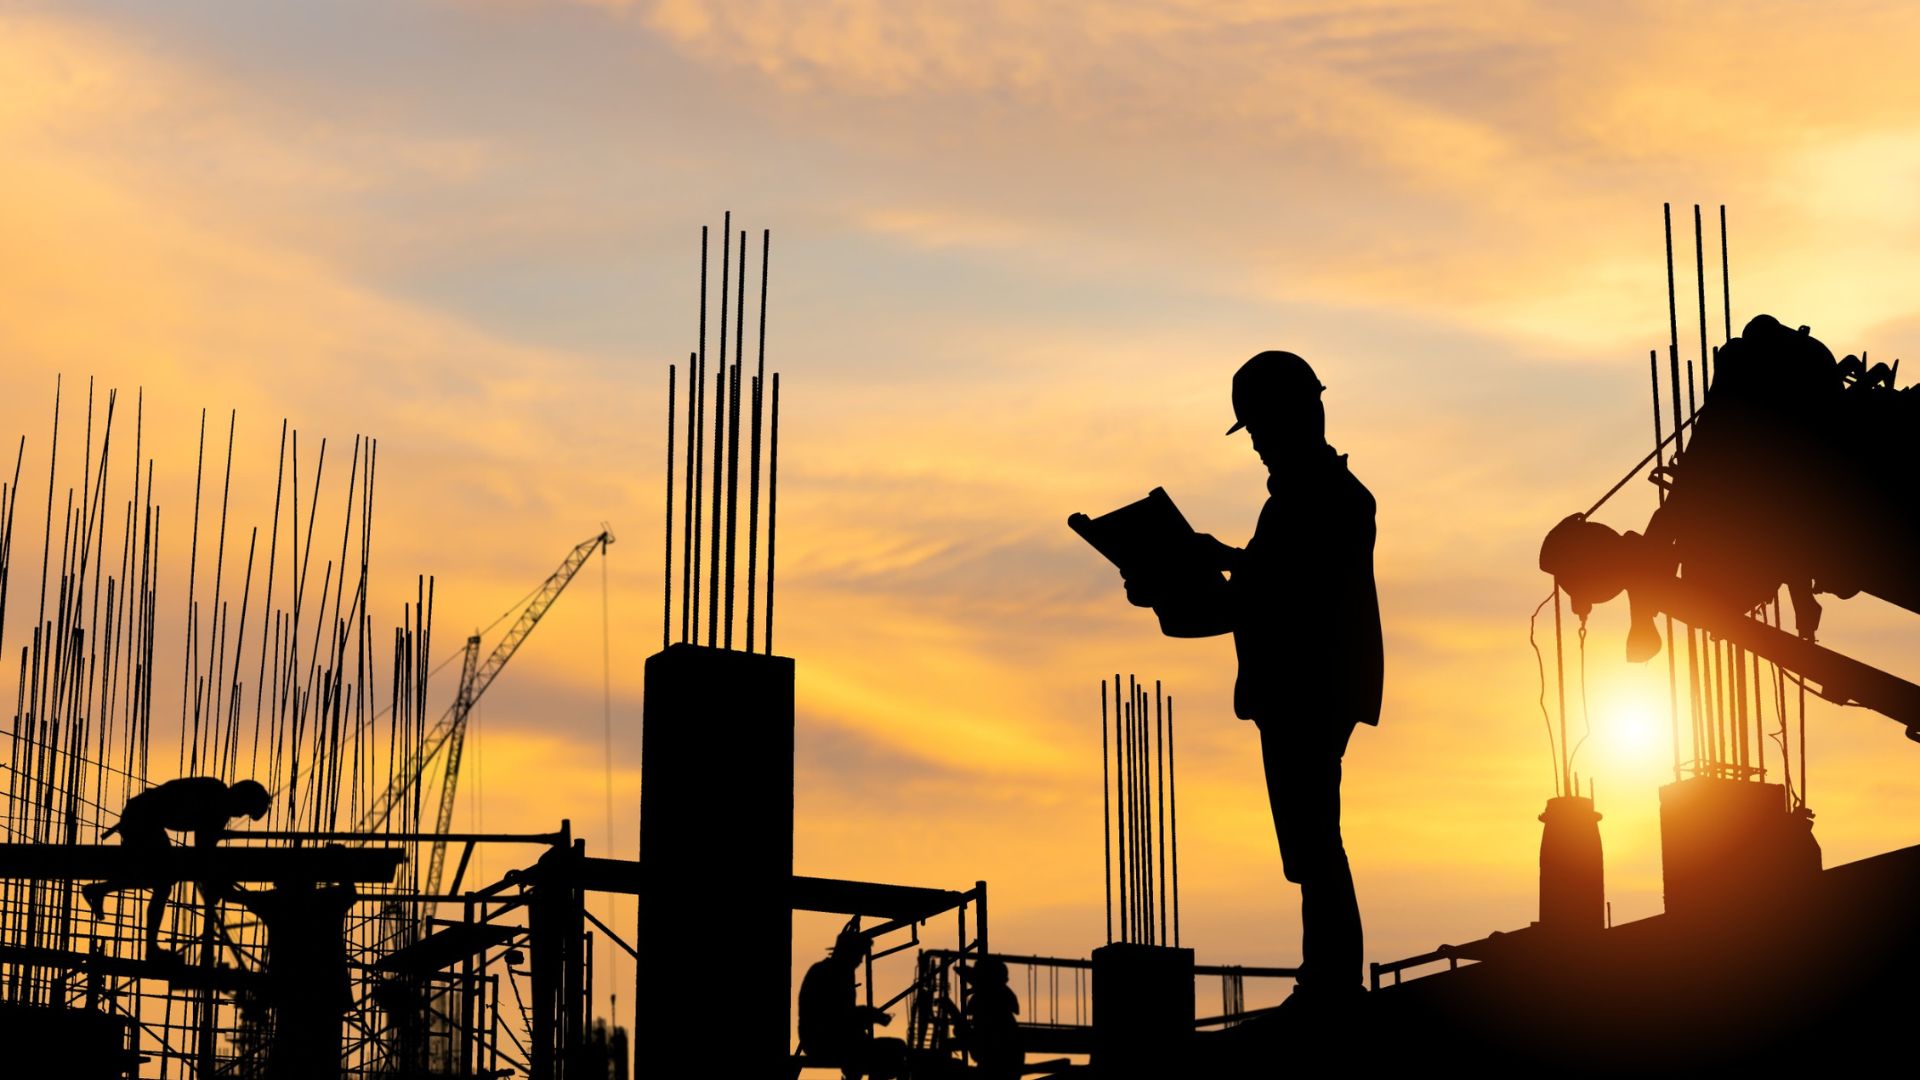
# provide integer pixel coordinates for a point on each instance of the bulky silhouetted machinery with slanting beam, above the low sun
(1794, 479)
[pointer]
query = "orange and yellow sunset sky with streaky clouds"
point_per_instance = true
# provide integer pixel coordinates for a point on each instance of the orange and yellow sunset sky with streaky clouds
(1019, 253)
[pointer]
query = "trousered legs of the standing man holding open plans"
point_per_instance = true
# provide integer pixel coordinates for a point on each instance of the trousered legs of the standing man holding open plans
(1305, 793)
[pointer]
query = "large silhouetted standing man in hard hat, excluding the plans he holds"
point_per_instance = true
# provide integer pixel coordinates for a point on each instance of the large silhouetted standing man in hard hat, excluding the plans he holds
(1307, 627)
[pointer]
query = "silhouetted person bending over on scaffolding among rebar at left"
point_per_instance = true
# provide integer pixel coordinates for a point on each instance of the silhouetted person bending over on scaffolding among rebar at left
(191, 804)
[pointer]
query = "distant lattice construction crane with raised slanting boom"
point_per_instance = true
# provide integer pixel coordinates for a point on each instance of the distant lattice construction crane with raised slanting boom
(477, 675)
